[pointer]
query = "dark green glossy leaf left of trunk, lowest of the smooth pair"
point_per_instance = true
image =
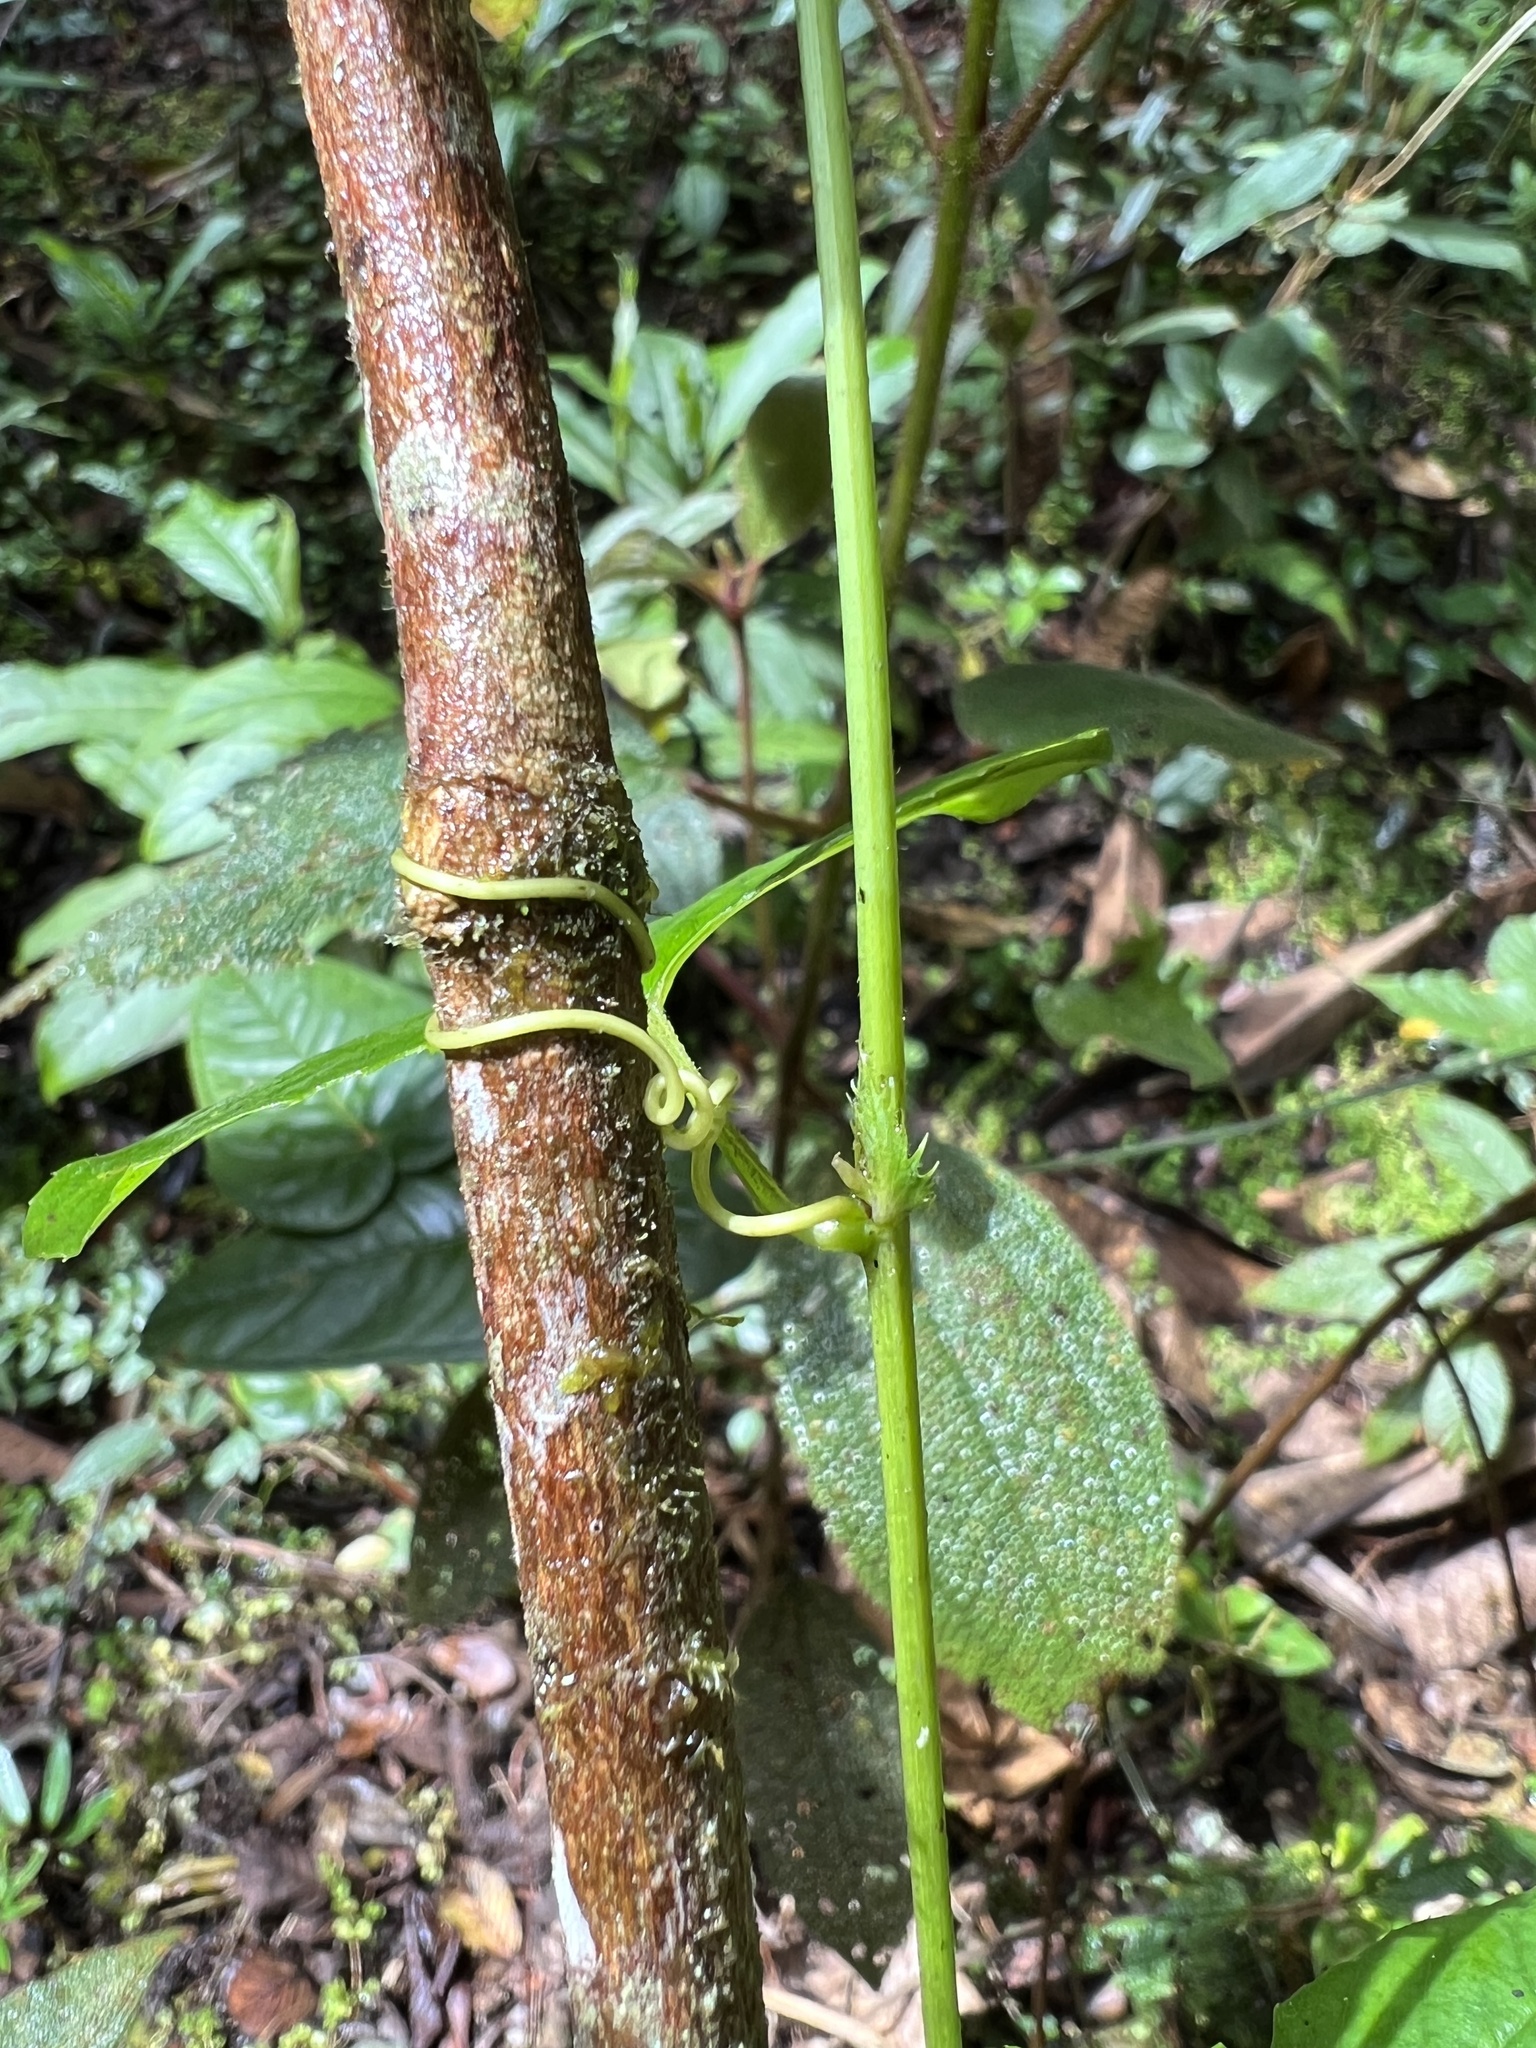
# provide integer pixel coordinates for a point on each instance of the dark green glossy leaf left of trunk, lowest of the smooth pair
(398, 1291)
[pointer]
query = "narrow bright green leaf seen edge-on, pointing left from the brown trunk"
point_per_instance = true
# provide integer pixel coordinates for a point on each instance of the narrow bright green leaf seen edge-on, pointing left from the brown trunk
(83, 1195)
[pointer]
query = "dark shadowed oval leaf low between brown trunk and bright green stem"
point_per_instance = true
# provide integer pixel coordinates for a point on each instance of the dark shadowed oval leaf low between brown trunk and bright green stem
(822, 1764)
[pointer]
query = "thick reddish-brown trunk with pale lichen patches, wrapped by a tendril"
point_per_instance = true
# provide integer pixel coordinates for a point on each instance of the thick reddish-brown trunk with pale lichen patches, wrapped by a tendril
(511, 773)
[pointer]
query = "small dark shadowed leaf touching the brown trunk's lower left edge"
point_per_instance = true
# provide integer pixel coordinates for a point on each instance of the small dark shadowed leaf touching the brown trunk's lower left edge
(462, 1541)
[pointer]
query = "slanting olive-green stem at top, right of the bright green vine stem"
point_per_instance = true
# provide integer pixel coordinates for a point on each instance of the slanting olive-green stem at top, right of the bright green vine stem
(957, 196)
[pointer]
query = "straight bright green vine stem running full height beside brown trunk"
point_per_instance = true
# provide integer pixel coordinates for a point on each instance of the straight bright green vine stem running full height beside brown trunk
(890, 1175)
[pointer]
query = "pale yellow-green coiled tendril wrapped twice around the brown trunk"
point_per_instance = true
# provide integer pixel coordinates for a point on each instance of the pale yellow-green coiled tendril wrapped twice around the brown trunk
(837, 1224)
